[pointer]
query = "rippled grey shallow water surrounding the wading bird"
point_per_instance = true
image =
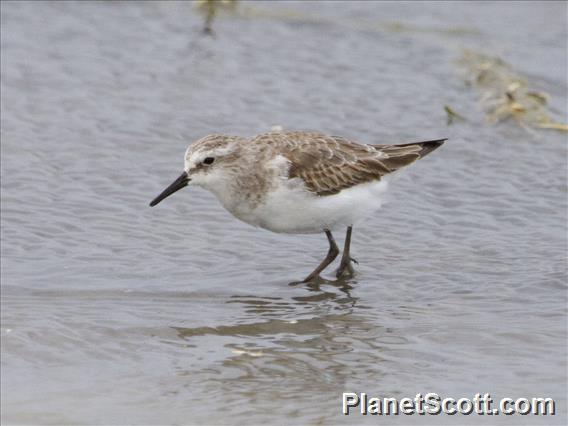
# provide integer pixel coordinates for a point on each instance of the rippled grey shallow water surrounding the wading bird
(115, 313)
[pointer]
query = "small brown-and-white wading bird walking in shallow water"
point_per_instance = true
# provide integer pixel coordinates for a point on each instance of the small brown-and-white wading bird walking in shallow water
(297, 182)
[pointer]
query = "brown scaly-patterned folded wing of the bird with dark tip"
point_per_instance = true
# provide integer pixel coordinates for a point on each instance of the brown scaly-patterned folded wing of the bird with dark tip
(329, 164)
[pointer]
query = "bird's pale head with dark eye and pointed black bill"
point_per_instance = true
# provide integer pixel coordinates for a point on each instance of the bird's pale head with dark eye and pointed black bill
(210, 163)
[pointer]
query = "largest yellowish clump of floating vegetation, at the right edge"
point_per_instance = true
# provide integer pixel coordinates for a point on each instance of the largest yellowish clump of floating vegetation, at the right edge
(505, 94)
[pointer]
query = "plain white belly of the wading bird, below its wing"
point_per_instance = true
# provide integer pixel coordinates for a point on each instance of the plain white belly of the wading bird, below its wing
(290, 209)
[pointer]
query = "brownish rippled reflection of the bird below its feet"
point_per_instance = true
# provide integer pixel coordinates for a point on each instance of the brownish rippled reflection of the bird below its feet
(304, 342)
